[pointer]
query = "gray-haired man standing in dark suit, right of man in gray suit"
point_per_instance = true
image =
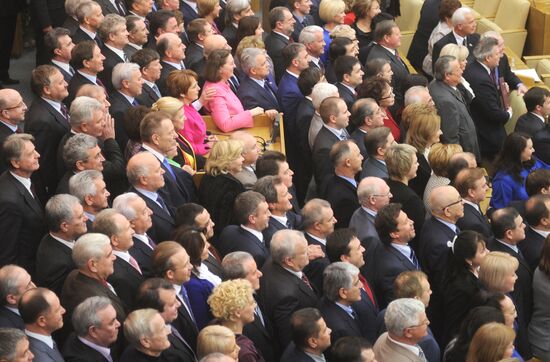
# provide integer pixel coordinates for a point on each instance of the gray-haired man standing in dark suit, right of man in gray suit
(489, 111)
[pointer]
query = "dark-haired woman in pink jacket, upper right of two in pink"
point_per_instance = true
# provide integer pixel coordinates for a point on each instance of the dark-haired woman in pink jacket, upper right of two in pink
(225, 107)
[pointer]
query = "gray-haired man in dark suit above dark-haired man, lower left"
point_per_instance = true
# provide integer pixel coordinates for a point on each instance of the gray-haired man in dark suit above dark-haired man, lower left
(66, 222)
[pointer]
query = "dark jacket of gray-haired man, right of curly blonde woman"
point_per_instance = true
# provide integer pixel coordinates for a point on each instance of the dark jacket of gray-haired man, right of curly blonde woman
(282, 293)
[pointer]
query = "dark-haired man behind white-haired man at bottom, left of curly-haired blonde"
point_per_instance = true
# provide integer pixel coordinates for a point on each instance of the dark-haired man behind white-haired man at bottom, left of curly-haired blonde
(159, 294)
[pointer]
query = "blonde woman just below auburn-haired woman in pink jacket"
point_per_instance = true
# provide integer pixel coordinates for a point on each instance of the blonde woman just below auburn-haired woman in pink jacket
(186, 157)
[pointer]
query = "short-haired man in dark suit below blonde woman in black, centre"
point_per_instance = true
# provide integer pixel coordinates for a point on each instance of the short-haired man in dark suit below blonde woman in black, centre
(252, 214)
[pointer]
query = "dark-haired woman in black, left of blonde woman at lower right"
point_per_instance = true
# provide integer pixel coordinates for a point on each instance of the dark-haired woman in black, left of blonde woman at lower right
(460, 281)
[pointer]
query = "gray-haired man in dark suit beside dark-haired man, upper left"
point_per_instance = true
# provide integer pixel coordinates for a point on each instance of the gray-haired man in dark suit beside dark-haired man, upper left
(115, 37)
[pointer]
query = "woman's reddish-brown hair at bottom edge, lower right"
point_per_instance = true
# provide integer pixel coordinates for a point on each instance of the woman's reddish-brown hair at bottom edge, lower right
(490, 342)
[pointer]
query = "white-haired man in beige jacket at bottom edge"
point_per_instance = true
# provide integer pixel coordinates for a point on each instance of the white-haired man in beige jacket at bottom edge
(406, 325)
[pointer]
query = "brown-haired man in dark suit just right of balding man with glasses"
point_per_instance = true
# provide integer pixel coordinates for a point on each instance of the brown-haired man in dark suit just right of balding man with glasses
(471, 183)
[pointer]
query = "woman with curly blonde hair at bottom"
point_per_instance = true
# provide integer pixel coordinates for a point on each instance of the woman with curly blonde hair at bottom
(232, 303)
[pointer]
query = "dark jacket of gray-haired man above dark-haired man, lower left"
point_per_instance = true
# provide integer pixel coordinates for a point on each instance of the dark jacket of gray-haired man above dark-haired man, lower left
(53, 263)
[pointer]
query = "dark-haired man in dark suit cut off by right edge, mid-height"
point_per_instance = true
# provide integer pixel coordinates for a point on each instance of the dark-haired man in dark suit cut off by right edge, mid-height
(537, 212)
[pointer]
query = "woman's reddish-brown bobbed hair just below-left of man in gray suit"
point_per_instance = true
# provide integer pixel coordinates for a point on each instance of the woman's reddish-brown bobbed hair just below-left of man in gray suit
(423, 122)
